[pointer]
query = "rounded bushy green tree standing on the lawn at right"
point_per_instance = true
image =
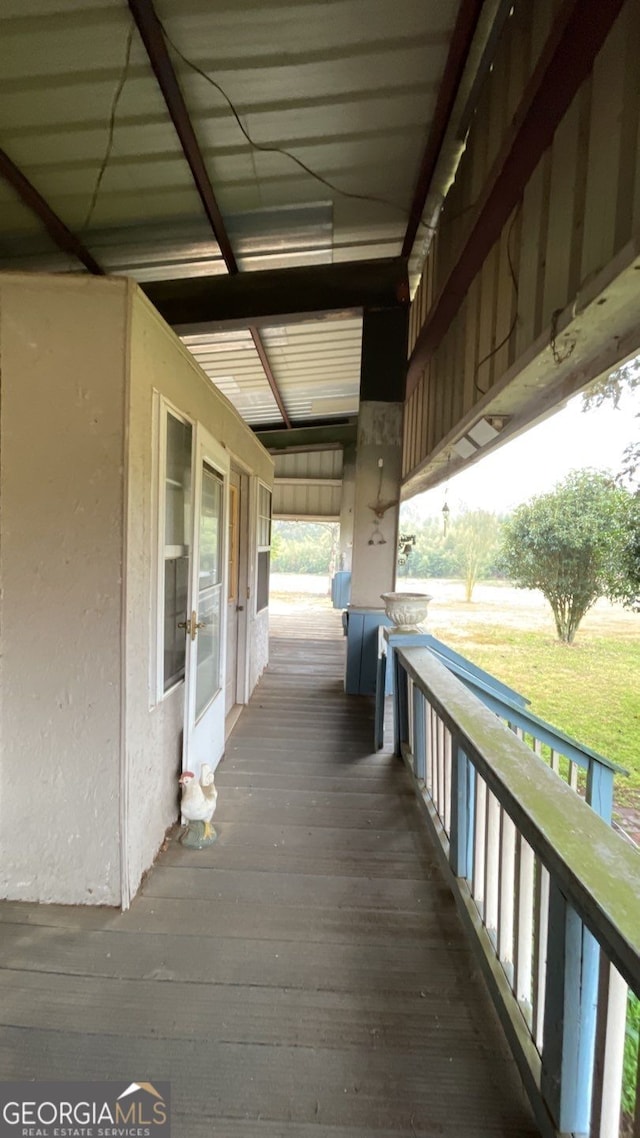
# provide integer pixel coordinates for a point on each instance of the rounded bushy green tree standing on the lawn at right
(573, 546)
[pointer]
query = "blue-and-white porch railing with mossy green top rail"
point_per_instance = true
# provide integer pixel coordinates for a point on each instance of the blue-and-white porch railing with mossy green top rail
(549, 894)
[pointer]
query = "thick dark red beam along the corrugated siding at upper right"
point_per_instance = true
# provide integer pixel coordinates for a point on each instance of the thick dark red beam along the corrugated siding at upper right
(578, 35)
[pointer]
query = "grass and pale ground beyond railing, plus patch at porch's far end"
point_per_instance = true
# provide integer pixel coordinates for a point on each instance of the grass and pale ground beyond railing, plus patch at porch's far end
(590, 690)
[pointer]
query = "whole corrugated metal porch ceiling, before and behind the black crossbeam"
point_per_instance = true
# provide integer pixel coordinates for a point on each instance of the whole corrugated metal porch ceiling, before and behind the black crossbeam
(349, 87)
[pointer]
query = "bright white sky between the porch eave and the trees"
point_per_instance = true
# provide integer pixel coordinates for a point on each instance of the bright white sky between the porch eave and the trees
(536, 461)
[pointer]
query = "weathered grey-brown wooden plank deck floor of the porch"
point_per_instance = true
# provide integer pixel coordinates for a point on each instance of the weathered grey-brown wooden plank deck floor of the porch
(305, 978)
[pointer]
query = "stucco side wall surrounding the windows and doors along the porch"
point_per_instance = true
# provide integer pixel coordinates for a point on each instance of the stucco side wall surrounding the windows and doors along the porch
(160, 364)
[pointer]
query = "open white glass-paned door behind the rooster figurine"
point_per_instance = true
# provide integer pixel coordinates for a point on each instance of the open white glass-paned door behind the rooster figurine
(204, 705)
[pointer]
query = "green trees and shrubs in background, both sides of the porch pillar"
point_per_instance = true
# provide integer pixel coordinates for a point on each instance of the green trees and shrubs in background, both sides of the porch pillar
(576, 545)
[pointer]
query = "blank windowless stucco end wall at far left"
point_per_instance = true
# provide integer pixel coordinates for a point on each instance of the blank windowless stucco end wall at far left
(62, 367)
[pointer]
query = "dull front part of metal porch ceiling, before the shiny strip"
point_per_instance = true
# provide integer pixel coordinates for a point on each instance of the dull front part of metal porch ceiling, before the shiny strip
(344, 87)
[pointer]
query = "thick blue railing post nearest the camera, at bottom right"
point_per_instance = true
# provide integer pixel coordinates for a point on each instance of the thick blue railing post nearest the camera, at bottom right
(570, 1017)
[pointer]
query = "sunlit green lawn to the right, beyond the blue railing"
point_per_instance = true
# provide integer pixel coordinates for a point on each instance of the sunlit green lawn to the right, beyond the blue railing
(592, 691)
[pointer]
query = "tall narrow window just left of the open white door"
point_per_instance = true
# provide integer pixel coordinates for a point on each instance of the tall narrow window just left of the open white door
(177, 547)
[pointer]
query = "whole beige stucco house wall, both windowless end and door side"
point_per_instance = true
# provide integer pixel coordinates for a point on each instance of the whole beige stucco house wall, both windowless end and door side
(89, 757)
